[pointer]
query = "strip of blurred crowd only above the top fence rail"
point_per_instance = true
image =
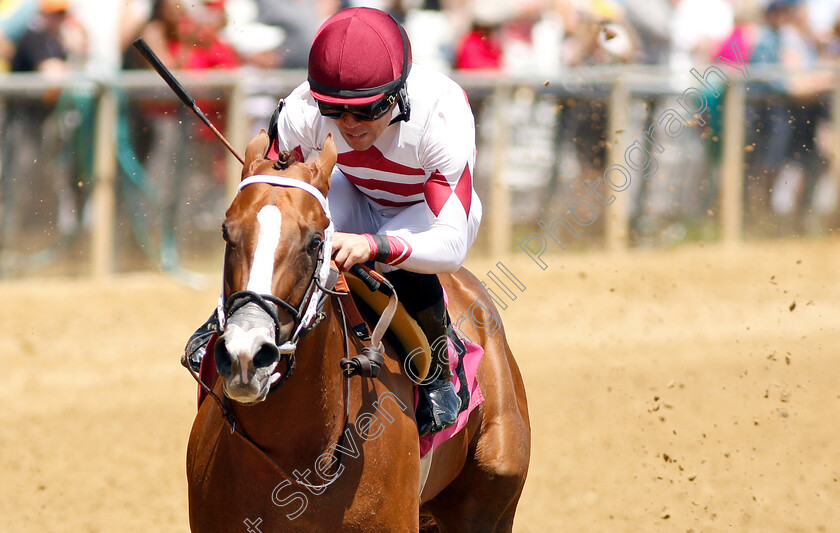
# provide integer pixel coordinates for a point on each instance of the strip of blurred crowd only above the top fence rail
(513, 36)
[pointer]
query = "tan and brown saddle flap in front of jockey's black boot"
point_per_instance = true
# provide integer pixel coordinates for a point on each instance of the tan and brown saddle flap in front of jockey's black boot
(405, 328)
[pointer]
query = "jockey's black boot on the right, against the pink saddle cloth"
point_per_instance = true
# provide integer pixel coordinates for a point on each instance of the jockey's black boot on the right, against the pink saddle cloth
(422, 297)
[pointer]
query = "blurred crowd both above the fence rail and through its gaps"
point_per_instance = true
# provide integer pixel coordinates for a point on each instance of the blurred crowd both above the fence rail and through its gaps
(527, 38)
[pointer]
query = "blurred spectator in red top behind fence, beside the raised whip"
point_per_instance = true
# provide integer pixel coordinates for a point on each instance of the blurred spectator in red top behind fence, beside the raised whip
(184, 38)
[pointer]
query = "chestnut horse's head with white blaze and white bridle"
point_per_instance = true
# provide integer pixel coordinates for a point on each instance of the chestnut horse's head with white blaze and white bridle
(275, 231)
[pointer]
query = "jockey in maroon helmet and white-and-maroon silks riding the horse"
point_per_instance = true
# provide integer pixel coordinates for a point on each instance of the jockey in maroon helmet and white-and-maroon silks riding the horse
(401, 193)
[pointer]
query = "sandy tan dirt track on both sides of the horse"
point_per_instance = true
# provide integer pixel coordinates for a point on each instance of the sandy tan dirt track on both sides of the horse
(669, 391)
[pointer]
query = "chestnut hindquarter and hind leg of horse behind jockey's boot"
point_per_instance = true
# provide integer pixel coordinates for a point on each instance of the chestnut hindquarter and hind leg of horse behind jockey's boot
(483, 494)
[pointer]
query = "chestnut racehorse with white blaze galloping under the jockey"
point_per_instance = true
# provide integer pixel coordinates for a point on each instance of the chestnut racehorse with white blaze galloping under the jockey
(318, 451)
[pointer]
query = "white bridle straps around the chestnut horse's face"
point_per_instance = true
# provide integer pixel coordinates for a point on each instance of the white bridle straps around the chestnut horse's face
(308, 313)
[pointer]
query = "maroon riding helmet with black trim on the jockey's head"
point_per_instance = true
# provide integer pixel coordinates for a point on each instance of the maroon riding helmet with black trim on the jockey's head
(358, 57)
